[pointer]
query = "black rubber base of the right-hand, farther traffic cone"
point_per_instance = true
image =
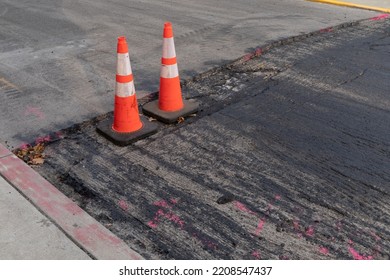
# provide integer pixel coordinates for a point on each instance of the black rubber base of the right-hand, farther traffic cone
(151, 109)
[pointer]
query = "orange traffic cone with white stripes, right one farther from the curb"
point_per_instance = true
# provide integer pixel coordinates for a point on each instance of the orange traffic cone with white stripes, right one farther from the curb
(170, 105)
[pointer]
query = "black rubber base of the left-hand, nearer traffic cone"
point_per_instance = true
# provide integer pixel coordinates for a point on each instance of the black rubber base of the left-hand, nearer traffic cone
(123, 139)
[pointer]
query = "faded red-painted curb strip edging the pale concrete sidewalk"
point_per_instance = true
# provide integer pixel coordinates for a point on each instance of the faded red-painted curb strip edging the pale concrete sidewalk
(74, 221)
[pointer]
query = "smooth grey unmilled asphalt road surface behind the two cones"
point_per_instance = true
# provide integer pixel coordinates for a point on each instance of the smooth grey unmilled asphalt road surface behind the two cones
(57, 58)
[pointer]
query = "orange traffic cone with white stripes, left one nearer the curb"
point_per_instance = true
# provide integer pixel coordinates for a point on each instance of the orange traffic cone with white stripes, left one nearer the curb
(126, 126)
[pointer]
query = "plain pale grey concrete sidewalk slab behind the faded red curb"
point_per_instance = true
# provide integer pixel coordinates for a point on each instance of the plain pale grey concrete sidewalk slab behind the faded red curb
(26, 233)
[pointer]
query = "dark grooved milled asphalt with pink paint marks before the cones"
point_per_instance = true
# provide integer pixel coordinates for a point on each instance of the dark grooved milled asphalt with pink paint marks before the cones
(288, 158)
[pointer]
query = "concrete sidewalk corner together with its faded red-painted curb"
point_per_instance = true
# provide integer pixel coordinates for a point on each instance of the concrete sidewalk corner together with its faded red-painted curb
(38, 222)
